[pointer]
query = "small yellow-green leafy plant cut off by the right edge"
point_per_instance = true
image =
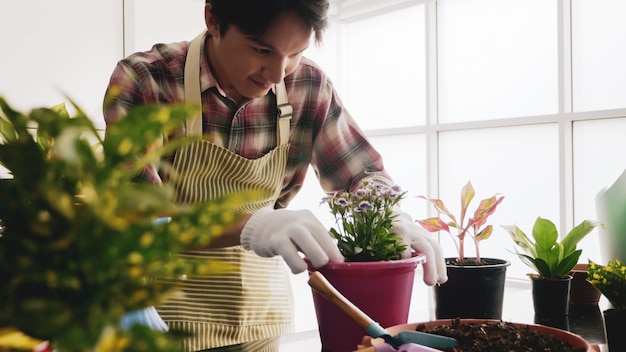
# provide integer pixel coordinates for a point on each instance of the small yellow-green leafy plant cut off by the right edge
(610, 280)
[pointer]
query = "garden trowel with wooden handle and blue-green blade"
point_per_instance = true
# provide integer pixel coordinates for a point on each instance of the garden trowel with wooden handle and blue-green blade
(319, 283)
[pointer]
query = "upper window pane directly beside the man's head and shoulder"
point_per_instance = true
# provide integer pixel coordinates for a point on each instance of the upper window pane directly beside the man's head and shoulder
(384, 69)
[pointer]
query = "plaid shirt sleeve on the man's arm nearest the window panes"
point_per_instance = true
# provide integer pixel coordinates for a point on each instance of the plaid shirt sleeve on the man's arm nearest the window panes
(338, 150)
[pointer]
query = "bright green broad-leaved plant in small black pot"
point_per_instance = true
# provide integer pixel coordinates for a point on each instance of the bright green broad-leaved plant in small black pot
(544, 253)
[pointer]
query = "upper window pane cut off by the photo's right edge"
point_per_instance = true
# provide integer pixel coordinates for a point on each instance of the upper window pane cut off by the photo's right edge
(599, 74)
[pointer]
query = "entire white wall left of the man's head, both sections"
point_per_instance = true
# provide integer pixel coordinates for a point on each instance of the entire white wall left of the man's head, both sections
(57, 48)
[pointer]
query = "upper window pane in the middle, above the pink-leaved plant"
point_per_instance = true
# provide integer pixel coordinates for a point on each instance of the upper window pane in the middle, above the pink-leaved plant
(497, 58)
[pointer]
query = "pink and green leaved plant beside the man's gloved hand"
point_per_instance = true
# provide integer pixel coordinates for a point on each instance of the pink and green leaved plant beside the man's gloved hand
(475, 226)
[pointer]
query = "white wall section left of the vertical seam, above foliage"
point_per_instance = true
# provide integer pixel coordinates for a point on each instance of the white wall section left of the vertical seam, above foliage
(57, 48)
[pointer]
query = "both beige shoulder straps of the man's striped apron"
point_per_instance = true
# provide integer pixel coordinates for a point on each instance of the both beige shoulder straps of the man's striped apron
(193, 94)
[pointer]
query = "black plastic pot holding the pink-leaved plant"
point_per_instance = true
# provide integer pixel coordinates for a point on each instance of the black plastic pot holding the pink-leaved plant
(472, 291)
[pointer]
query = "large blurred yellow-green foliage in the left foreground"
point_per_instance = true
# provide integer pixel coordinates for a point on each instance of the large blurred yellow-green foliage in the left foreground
(79, 245)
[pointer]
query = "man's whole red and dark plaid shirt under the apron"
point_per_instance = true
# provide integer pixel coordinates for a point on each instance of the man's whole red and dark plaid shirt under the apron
(322, 135)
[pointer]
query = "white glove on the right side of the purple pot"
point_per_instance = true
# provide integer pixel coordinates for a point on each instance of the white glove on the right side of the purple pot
(416, 238)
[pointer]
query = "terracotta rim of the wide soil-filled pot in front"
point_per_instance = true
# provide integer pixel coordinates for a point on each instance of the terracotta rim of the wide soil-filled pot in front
(565, 336)
